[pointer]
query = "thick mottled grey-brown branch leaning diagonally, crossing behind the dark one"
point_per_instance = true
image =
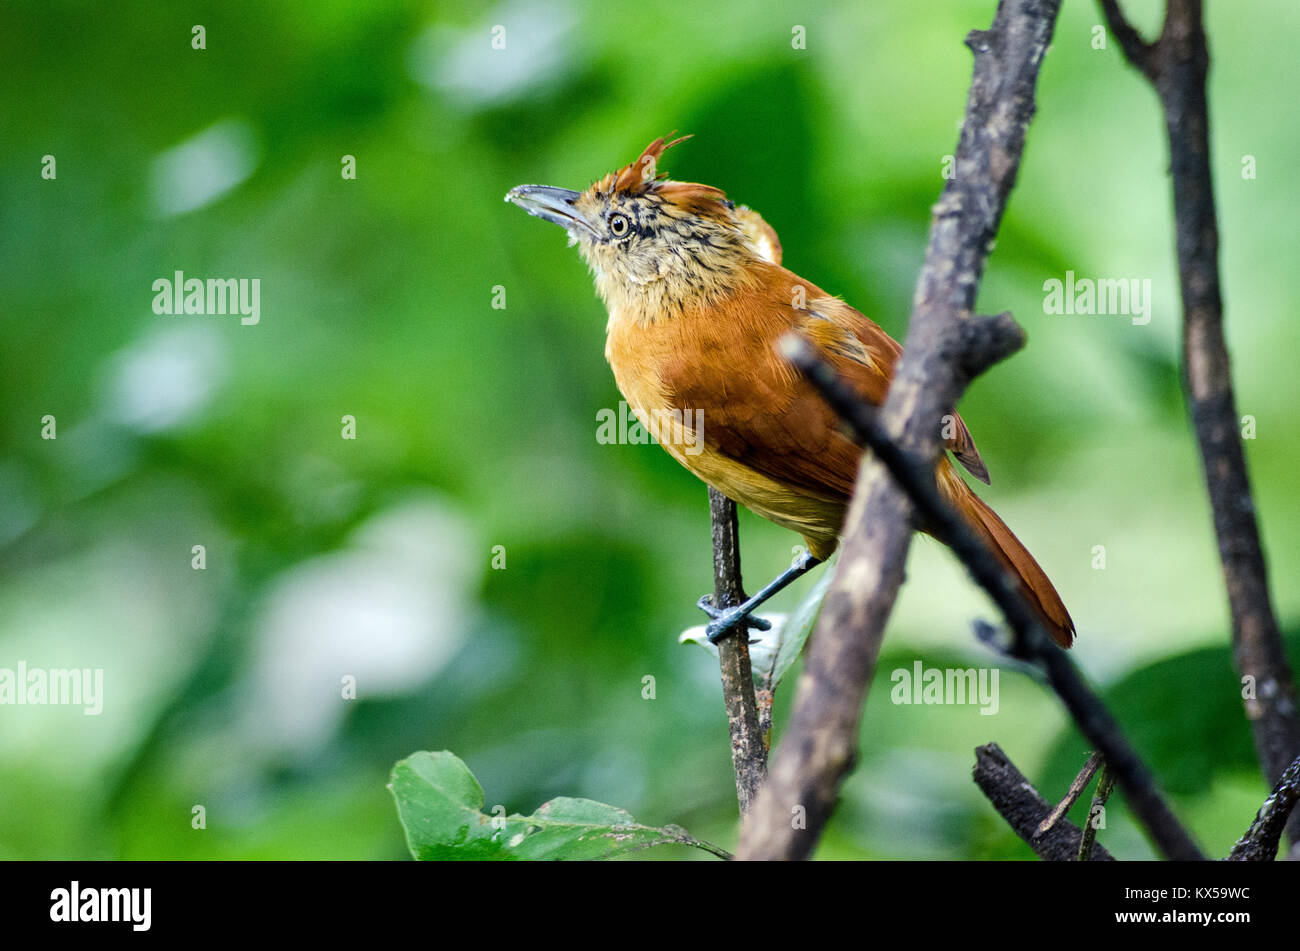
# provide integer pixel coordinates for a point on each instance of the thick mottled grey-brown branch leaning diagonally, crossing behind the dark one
(821, 742)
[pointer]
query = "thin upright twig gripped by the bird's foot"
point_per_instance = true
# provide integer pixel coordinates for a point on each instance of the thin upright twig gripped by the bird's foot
(749, 753)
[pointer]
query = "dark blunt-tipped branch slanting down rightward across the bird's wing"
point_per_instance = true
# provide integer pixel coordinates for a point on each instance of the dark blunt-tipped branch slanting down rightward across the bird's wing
(1033, 642)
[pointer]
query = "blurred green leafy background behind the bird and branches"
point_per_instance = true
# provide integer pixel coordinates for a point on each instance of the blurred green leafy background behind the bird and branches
(476, 427)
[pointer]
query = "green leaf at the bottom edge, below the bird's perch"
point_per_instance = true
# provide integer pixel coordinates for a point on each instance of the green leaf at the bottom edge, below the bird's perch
(441, 804)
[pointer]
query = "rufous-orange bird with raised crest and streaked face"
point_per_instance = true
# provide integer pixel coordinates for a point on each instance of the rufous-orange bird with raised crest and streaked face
(697, 302)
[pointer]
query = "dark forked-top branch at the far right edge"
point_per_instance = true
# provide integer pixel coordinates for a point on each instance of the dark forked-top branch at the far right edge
(1177, 66)
